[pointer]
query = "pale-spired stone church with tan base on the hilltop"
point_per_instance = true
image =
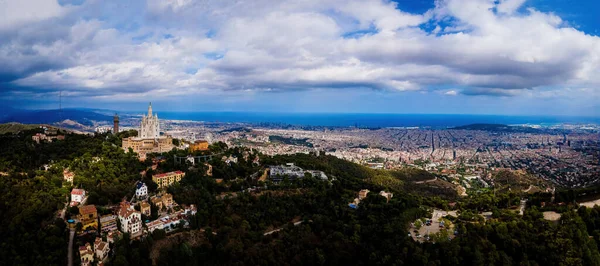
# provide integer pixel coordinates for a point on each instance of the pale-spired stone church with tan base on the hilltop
(149, 139)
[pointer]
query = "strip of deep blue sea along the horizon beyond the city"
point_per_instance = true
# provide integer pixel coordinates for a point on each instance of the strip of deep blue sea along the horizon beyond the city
(375, 120)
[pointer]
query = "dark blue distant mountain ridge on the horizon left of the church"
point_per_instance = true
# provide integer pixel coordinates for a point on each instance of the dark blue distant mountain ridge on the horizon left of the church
(83, 117)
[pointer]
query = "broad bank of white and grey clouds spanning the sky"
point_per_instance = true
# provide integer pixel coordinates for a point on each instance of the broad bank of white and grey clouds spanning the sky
(185, 46)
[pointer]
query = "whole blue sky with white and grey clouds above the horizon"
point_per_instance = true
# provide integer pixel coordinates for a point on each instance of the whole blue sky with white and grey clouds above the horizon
(508, 57)
